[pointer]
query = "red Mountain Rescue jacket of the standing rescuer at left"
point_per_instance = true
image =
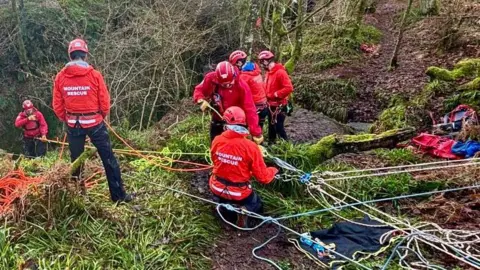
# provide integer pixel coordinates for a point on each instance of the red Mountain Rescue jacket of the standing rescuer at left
(80, 92)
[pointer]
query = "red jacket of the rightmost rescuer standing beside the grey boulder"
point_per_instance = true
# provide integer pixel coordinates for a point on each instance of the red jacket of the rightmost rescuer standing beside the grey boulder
(278, 85)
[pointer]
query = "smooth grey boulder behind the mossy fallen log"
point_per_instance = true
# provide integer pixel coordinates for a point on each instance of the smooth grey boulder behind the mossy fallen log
(306, 126)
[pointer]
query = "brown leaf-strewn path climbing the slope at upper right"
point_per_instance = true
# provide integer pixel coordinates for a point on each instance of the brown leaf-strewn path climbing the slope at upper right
(376, 83)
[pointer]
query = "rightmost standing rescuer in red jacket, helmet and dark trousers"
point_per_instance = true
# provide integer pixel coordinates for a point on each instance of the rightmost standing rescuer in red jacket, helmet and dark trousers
(278, 87)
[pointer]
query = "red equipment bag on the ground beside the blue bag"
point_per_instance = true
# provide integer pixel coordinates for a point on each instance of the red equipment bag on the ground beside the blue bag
(435, 145)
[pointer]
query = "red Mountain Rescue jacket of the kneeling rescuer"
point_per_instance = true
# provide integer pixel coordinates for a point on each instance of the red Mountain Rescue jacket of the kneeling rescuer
(237, 159)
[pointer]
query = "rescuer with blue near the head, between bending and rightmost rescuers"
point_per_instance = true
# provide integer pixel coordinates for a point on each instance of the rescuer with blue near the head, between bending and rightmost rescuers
(252, 75)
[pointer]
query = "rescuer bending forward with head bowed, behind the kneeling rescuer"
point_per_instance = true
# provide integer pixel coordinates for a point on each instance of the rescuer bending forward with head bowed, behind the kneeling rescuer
(223, 89)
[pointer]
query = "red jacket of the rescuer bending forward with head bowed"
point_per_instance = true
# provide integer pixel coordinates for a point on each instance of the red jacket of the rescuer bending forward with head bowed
(239, 95)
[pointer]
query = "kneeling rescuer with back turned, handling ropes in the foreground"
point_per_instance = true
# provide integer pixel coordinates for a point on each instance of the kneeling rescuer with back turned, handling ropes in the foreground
(235, 161)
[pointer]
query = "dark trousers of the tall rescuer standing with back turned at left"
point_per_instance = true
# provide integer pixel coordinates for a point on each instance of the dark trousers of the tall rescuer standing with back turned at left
(99, 137)
